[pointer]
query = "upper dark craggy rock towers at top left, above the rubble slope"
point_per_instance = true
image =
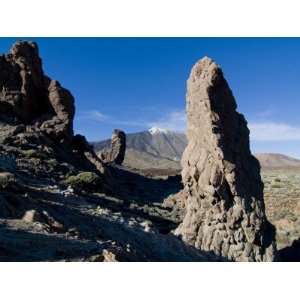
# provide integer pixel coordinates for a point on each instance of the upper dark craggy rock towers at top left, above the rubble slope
(29, 97)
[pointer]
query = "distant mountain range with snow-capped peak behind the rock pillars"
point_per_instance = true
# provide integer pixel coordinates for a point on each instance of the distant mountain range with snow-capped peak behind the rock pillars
(159, 148)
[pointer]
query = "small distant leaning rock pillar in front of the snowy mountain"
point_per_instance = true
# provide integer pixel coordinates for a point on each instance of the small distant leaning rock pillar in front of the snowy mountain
(116, 153)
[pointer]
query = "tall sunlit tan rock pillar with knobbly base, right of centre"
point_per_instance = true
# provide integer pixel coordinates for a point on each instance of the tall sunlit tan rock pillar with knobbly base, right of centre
(225, 210)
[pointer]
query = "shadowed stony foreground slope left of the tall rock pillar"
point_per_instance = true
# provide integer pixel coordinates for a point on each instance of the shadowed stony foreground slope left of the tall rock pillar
(45, 222)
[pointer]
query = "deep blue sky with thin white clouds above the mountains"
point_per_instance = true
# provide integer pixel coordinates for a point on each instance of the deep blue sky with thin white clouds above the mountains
(137, 83)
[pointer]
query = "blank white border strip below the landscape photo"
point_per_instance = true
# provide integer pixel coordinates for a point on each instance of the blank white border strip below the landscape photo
(226, 281)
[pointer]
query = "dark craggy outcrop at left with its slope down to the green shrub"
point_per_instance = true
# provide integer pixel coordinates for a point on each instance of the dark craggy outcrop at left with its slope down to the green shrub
(36, 116)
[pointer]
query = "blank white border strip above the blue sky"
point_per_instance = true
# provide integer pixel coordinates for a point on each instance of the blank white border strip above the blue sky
(34, 18)
